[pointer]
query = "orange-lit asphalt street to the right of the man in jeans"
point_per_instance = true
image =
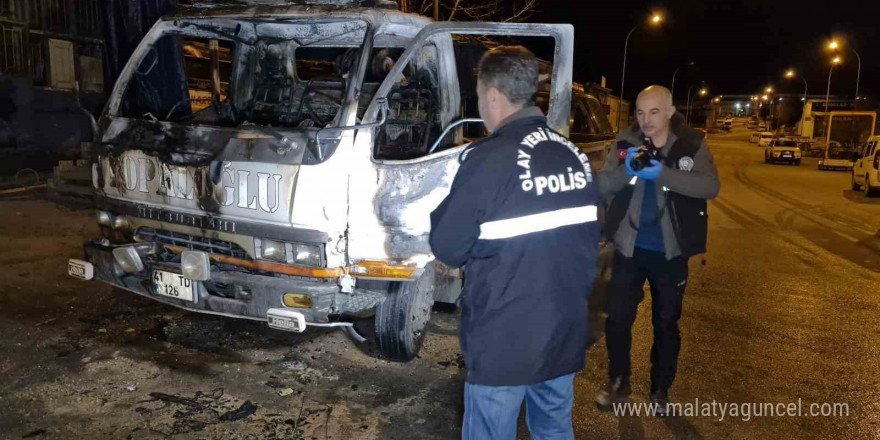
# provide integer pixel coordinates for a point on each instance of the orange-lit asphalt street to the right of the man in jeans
(785, 309)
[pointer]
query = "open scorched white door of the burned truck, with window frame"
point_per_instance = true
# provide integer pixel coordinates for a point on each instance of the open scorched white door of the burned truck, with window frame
(391, 202)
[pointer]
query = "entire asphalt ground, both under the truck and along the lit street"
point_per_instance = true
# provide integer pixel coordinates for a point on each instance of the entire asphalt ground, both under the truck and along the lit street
(785, 309)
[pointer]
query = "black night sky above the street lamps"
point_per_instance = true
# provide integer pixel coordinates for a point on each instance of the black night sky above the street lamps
(739, 46)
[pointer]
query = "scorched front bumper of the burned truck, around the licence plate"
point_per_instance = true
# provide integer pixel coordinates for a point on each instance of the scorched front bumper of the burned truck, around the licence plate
(236, 293)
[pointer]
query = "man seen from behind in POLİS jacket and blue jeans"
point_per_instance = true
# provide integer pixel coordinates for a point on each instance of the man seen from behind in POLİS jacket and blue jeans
(521, 219)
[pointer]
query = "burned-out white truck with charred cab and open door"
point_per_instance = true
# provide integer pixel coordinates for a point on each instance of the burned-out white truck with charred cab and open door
(279, 163)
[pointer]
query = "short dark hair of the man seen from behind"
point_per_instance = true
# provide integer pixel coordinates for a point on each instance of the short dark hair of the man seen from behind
(513, 70)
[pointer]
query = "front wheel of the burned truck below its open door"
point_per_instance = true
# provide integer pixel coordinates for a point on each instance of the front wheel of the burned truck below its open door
(401, 319)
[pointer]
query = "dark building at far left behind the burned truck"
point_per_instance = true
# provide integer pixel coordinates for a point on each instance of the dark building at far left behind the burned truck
(48, 48)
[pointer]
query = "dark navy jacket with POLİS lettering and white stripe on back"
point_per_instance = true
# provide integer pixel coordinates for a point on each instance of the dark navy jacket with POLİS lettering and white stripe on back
(521, 218)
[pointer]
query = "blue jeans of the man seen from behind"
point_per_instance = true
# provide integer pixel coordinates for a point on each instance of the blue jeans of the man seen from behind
(490, 413)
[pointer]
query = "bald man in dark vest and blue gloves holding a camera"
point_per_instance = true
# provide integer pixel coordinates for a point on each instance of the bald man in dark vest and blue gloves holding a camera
(657, 220)
